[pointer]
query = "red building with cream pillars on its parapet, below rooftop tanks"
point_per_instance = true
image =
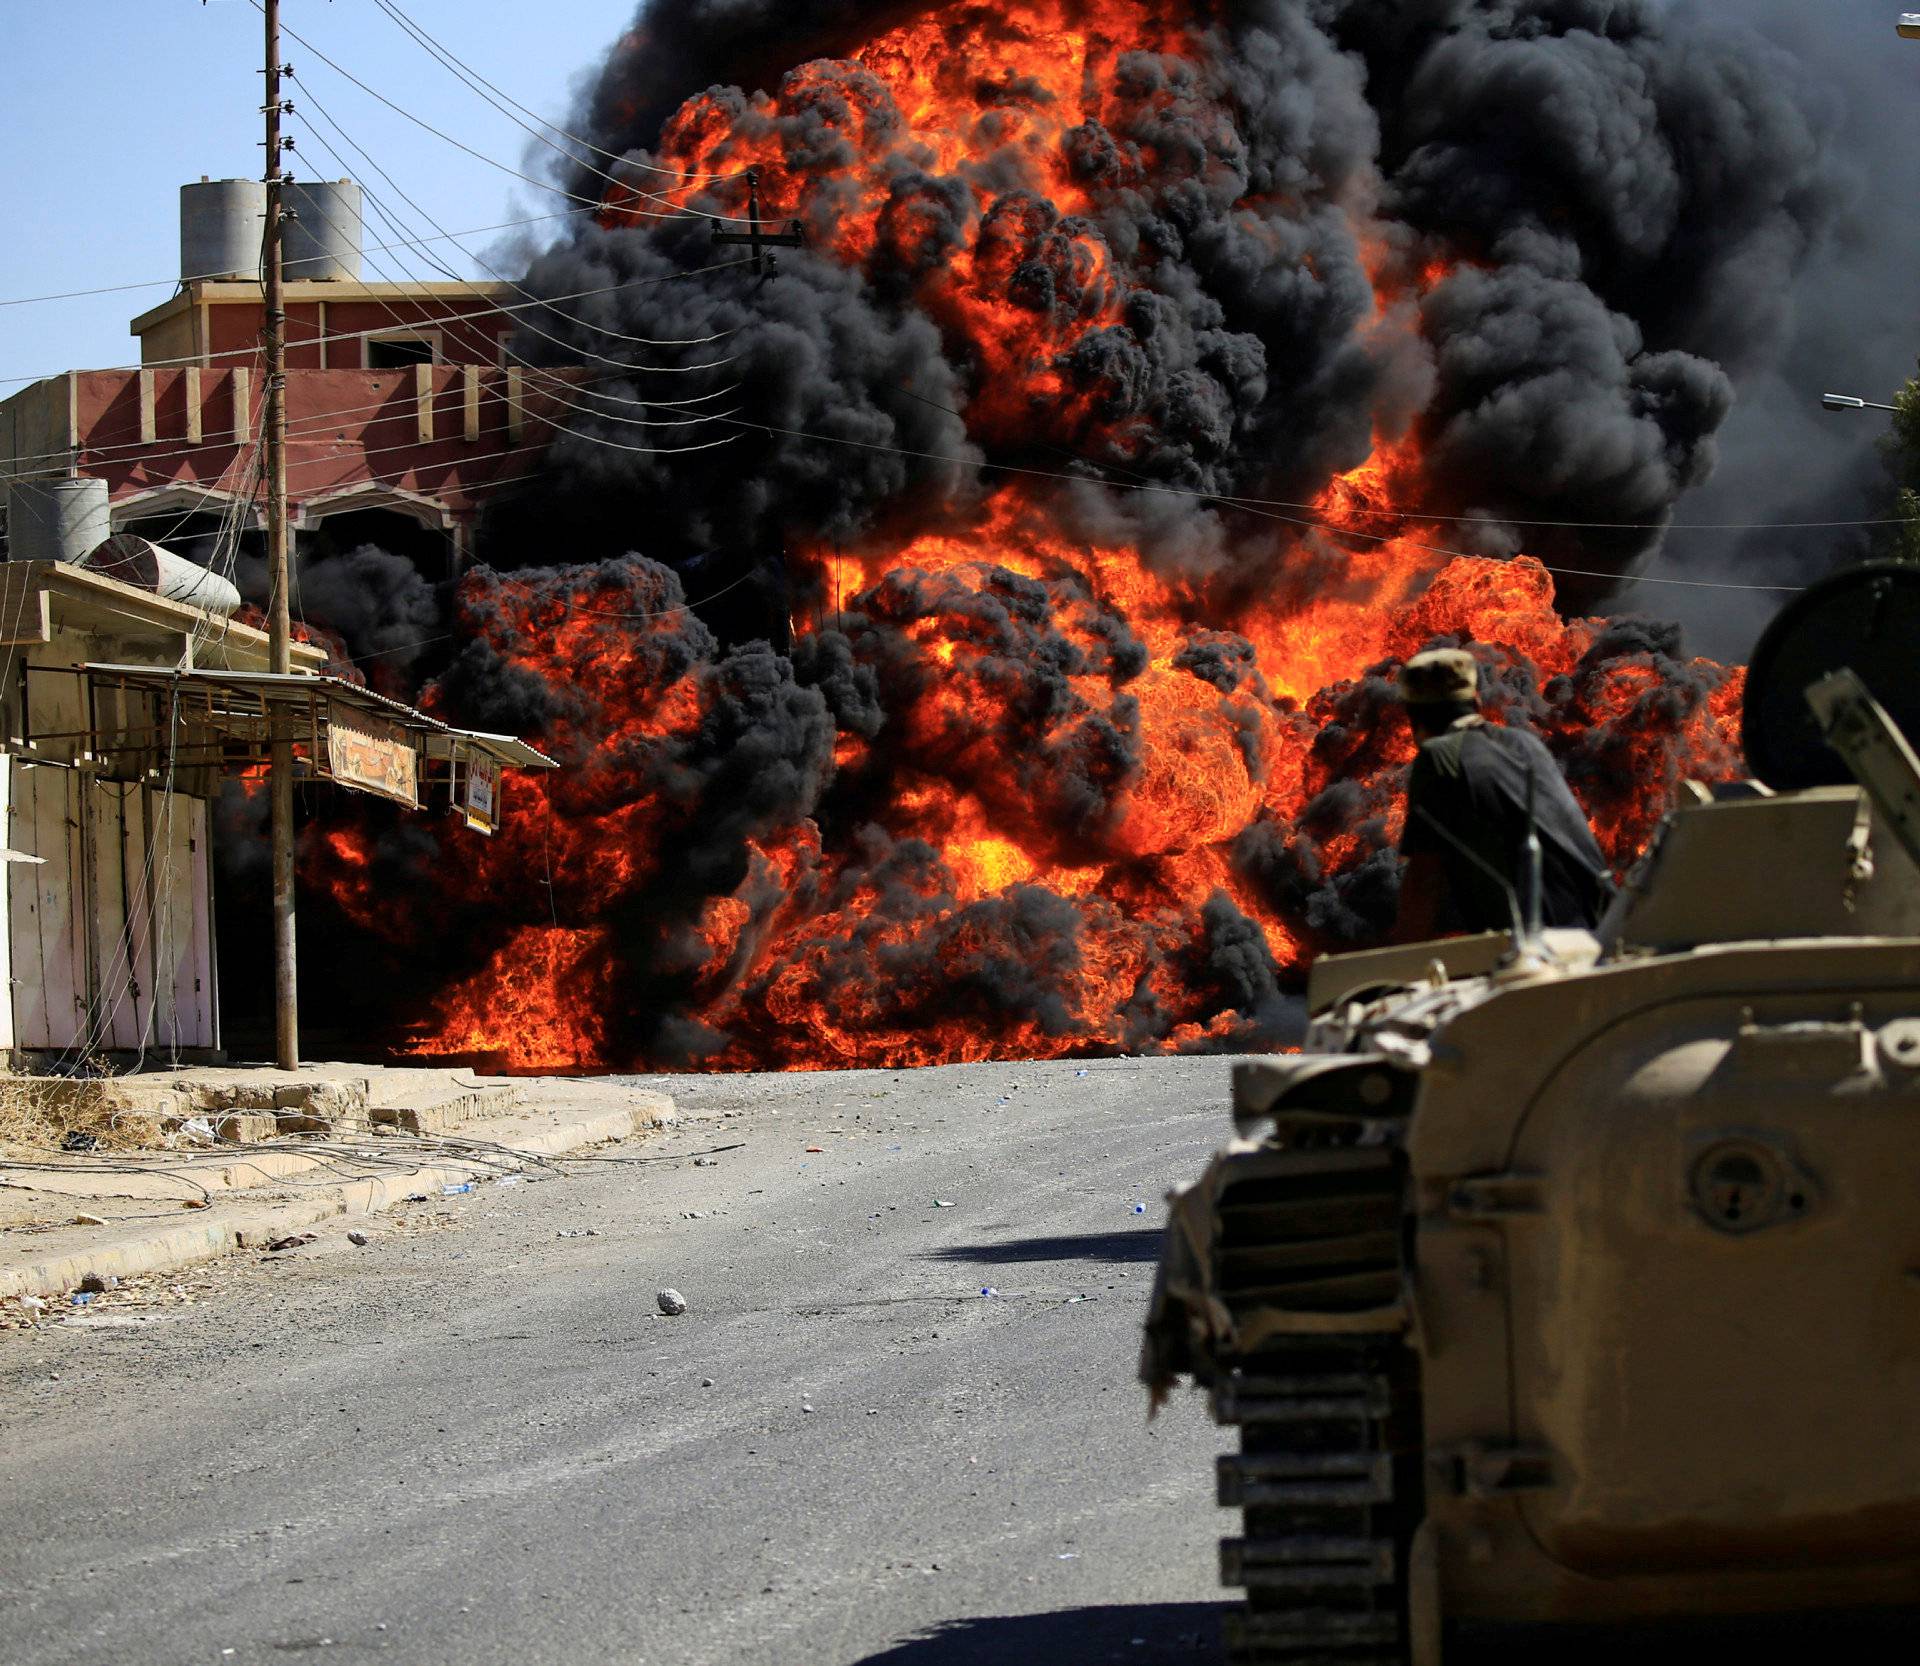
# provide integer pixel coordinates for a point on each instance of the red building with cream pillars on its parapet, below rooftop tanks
(402, 416)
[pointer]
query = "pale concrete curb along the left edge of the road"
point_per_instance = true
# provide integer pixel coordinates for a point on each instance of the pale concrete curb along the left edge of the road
(228, 1229)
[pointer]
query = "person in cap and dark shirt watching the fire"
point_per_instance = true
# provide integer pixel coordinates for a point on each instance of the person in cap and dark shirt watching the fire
(1468, 813)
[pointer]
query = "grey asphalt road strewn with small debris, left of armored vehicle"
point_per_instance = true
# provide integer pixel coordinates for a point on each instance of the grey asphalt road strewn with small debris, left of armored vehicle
(475, 1440)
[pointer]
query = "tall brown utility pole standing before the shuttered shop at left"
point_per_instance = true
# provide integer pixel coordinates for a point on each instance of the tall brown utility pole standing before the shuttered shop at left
(279, 619)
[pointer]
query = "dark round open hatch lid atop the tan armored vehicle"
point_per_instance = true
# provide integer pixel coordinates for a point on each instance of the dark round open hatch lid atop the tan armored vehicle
(1865, 619)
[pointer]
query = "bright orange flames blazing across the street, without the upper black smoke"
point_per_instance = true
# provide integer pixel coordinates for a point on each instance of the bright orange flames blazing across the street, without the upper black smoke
(1024, 786)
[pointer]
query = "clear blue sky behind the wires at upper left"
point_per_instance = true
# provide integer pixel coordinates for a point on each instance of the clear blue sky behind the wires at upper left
(114, 105)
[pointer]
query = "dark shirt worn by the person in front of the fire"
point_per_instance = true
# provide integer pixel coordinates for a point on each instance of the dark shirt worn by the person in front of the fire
(1474, 782)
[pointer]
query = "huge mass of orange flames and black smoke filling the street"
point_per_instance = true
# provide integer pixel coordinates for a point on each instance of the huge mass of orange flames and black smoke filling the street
(1001, 665)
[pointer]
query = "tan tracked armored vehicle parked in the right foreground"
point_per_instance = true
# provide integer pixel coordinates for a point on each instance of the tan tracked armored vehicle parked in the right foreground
(1575, 1277)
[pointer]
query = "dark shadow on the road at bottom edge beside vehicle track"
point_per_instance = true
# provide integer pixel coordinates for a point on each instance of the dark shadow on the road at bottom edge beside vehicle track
(1149, 1634)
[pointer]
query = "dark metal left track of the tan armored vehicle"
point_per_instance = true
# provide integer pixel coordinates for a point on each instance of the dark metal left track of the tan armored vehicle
(1330, 1467)
